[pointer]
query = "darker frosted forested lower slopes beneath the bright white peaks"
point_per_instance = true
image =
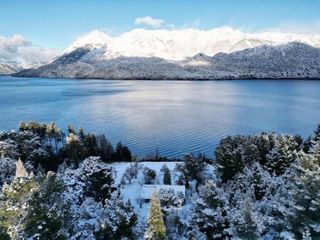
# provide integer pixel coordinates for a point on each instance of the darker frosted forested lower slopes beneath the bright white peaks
(291, 60)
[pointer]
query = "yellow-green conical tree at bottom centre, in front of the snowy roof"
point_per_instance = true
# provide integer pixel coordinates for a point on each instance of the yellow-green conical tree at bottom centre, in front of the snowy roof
(156, 228)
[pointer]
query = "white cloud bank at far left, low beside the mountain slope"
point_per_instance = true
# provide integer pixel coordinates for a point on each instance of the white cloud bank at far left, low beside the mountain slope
(21, 52)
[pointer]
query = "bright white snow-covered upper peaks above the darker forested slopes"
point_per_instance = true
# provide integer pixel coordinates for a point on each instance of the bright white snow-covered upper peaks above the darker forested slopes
(183, 43)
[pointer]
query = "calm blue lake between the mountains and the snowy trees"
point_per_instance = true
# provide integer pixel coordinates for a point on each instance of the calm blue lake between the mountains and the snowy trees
(173, 116)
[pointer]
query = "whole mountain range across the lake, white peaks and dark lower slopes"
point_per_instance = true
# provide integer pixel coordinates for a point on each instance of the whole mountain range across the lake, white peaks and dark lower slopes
(221, 53)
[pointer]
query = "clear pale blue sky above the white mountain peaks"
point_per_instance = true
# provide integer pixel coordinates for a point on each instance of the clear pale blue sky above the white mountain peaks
(56, 23)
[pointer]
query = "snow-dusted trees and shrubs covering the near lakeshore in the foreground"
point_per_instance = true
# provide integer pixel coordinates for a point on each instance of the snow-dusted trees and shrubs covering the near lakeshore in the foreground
(59, 185)
